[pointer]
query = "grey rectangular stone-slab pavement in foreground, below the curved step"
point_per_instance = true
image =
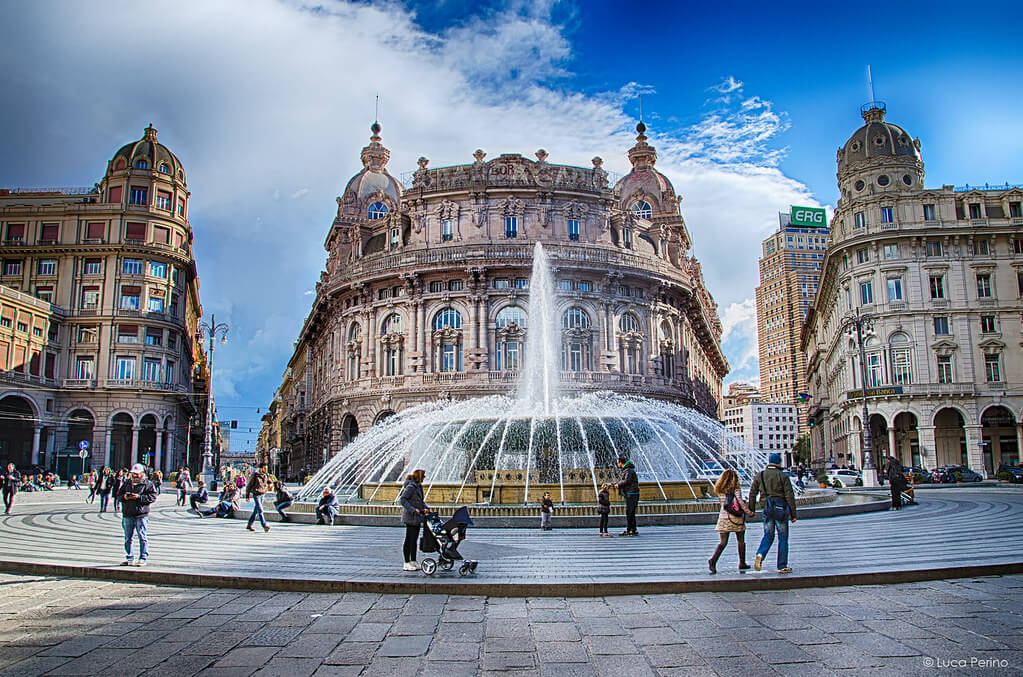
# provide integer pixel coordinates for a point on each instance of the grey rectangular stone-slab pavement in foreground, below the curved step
(59, 626)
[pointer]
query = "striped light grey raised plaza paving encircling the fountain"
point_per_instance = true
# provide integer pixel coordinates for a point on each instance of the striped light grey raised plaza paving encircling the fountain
(950, 528)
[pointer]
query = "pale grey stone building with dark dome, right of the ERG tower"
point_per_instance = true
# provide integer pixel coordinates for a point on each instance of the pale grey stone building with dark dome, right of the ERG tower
(940, 275)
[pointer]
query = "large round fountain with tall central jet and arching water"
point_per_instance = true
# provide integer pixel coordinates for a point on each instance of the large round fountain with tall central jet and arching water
(508, 450)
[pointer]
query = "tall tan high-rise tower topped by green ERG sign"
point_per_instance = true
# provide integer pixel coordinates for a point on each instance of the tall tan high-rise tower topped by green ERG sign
(789, 276)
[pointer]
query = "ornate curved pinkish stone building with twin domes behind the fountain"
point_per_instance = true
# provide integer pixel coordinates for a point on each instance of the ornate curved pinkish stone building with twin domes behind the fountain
(427, 287)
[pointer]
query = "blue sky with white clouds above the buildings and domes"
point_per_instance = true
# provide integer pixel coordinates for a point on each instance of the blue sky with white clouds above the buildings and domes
(269, 103)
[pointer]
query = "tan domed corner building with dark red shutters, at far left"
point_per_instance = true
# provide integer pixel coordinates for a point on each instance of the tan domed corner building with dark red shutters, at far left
(102, 290)
